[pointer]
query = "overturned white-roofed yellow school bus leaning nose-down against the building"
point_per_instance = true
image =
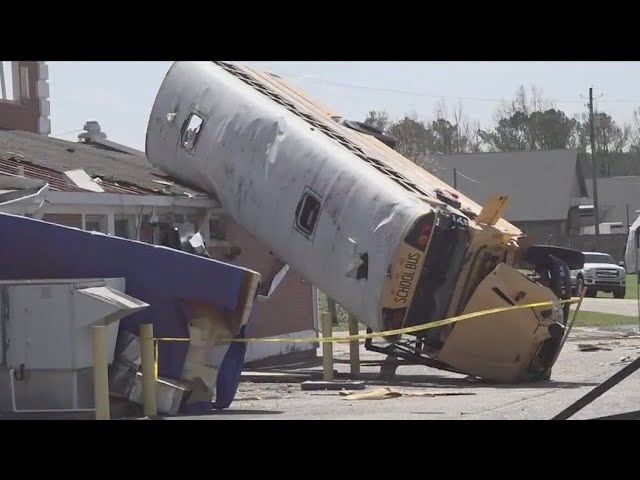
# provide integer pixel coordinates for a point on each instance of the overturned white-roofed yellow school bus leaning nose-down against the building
(391, 243)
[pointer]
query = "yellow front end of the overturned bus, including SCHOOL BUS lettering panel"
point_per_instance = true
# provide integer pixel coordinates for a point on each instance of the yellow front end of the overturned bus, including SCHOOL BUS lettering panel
(512, 346)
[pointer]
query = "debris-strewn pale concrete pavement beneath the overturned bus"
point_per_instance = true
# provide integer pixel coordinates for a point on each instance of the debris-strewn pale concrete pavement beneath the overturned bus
(269, 394)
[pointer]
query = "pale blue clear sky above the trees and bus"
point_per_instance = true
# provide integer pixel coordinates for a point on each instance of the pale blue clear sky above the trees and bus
(120, 94)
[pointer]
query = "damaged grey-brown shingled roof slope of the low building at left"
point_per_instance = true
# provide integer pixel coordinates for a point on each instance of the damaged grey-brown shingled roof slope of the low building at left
(47, 158)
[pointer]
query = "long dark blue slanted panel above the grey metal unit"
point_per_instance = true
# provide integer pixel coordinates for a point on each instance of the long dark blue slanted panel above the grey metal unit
(164, 278)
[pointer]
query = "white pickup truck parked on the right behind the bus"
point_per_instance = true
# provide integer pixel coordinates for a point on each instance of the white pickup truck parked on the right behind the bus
(600, 273)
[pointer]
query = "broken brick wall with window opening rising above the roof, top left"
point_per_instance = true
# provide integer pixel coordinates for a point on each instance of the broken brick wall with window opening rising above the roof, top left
(24, 97)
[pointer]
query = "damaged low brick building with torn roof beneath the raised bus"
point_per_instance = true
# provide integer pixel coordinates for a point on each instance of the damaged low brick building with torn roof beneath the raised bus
(96, 184)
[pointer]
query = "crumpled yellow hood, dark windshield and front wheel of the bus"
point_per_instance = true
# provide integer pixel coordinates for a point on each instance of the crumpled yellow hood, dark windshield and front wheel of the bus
(489, 283)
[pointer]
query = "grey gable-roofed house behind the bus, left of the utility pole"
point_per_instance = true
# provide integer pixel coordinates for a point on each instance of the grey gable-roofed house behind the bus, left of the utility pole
(549, 196)
